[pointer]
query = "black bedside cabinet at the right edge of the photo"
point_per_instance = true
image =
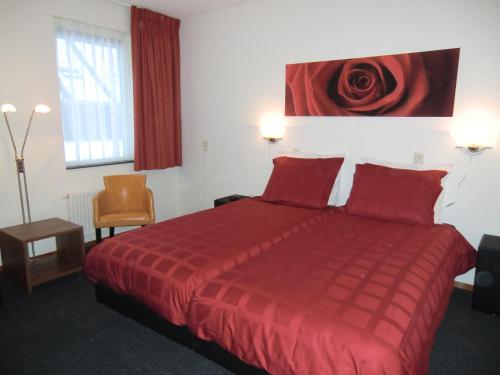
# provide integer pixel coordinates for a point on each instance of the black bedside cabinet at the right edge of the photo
(486, 294)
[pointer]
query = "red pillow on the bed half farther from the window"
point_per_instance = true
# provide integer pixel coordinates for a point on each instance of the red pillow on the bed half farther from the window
(402, 195)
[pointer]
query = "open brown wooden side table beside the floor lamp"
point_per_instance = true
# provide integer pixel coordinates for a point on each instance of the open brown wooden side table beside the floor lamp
(28, 273)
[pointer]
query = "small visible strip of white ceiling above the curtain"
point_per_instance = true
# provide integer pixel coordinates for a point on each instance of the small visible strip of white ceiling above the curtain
(182, 8)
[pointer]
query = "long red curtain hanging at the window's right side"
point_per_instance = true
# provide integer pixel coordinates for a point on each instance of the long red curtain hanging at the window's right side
(156, 75)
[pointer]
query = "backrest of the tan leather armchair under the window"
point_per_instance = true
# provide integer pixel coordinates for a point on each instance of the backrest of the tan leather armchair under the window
(126, 192)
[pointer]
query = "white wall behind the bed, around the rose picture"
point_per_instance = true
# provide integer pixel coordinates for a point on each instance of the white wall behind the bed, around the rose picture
(233, 70)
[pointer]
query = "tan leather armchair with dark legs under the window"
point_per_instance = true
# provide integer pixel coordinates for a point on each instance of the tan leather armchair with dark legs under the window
(125, 201)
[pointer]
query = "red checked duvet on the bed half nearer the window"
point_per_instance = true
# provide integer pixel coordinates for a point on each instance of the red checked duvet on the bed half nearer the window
(162, 264)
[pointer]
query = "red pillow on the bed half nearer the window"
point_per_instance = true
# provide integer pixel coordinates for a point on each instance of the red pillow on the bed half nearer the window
(302, 182)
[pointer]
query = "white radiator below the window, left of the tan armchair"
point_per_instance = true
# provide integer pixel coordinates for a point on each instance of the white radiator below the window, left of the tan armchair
(79, 210)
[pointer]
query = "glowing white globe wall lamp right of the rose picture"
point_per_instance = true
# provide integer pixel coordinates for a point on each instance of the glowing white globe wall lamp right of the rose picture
(474, 132)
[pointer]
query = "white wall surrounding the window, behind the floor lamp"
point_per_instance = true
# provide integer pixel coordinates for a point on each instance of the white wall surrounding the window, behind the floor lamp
(28, 76)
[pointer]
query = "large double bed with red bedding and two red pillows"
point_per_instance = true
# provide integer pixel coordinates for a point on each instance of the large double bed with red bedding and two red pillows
(285, 284)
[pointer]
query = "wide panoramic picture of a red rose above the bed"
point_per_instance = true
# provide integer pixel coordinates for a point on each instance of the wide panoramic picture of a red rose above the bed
(408, 84)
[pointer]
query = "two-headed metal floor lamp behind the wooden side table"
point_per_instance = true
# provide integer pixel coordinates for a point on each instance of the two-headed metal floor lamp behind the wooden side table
(21, 170)
